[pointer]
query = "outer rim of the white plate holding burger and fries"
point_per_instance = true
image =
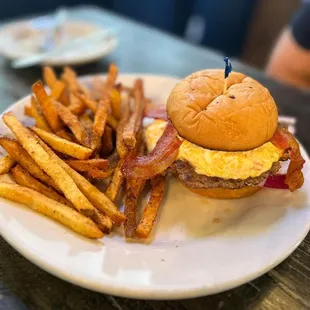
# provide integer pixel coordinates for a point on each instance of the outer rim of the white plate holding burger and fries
(140, 291)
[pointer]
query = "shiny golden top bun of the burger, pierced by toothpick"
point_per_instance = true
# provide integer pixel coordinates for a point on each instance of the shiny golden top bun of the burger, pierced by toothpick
(243, 118)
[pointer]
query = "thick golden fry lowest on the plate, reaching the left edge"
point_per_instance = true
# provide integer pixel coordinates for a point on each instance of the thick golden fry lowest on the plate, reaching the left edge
(50, 208)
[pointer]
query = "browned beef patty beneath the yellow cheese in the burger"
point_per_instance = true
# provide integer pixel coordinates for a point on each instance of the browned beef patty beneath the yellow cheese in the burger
(190, 178)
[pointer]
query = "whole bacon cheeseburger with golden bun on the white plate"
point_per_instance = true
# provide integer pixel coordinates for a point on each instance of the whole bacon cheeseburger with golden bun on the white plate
(220, 143)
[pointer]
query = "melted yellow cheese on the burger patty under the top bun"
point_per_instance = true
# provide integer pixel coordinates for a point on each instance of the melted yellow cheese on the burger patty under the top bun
(226, 165)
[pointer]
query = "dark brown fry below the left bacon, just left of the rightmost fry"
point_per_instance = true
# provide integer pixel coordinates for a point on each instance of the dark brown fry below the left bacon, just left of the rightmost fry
(133, 190)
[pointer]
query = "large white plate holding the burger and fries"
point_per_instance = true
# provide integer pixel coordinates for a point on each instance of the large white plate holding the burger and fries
(191, 254)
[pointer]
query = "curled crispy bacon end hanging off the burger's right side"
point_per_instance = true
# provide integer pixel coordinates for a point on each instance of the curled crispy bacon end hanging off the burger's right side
(284, 140)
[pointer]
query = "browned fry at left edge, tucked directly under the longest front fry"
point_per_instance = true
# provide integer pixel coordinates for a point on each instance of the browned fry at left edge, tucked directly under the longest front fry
(18, 153)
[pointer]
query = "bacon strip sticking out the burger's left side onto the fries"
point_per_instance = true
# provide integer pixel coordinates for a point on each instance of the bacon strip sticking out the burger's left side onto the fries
(162, 157)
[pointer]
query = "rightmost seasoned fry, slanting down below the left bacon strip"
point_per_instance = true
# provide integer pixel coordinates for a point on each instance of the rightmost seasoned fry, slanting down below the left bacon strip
(151, 210)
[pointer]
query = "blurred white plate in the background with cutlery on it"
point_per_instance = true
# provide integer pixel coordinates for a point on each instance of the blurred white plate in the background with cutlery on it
(15, 43)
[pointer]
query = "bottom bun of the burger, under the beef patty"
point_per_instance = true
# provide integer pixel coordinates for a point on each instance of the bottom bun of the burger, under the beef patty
(225, 193)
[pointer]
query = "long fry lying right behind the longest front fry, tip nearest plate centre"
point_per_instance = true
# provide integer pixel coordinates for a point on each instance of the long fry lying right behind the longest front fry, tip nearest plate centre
(95, 196)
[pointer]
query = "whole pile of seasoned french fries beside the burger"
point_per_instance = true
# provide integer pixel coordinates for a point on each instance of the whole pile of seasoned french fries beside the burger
(81, 134)
